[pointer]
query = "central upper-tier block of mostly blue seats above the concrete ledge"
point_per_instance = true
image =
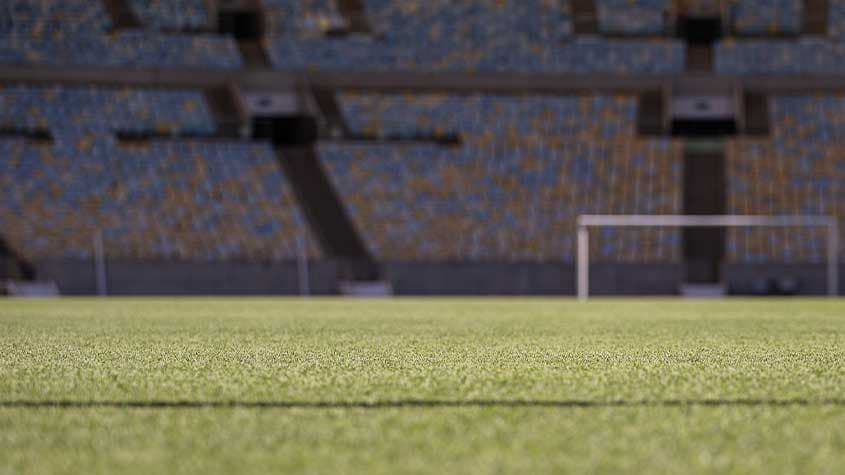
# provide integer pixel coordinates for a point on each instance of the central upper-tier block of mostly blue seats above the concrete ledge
(472, 36)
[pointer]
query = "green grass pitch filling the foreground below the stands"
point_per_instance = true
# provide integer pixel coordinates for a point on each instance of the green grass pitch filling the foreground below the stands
(422, 386)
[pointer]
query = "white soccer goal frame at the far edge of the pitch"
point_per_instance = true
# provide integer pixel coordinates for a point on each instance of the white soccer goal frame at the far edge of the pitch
(587, 221)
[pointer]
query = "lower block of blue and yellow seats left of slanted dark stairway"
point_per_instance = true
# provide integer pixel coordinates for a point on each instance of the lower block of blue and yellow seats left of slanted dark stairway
(181, 200)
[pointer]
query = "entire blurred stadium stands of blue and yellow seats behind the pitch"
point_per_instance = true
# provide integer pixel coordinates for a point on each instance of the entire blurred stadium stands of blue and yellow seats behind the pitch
(420, 177)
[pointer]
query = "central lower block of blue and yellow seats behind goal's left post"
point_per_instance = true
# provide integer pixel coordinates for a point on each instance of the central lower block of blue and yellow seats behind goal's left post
(505, 203)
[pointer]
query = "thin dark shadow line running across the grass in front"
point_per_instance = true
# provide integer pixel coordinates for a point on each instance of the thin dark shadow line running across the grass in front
(416, 403)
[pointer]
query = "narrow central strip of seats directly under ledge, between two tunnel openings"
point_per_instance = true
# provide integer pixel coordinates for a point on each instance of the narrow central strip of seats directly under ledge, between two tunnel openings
(480, 117)
